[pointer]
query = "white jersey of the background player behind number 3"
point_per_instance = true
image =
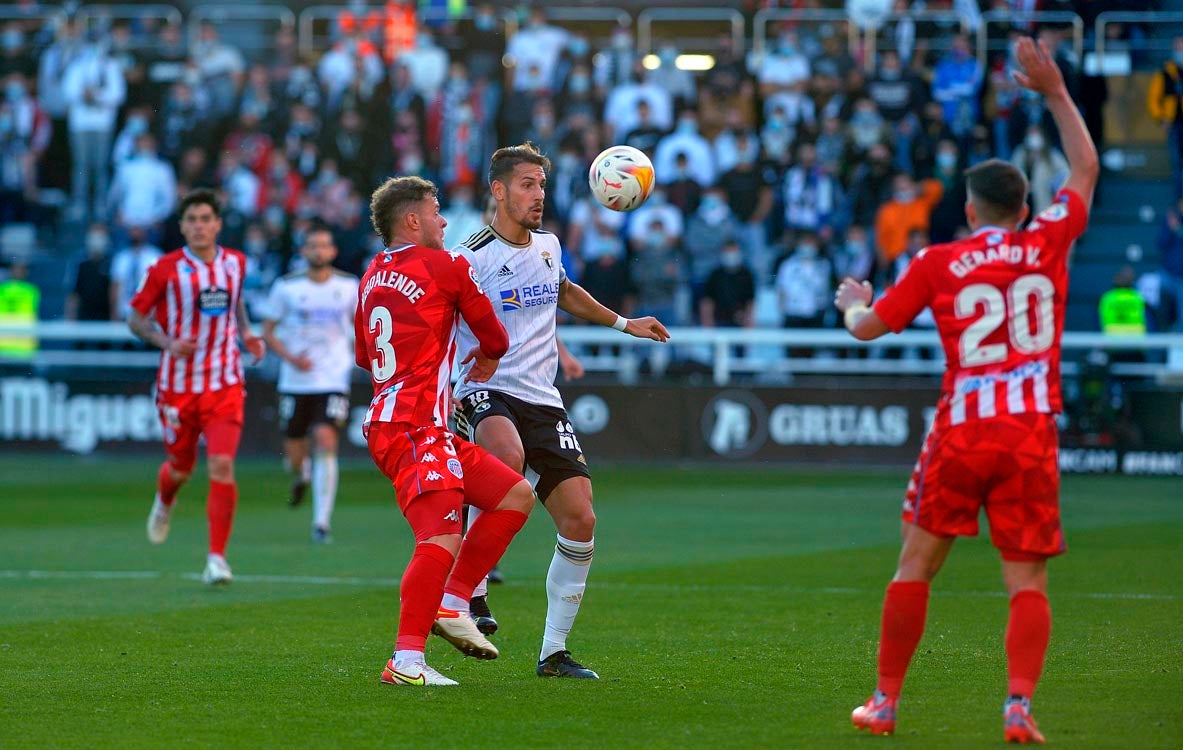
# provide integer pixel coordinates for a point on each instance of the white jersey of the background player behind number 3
(315, 320)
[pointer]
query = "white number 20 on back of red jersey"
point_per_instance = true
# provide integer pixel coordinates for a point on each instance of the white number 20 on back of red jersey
(1032, 292)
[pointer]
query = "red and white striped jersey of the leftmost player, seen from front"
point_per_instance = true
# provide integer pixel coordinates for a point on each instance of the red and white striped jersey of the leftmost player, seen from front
(197, 300)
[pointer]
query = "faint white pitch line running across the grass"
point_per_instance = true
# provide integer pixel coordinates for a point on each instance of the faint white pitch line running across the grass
(135, 576)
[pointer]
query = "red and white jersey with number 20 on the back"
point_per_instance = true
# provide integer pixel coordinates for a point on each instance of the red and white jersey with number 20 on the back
(998, 299)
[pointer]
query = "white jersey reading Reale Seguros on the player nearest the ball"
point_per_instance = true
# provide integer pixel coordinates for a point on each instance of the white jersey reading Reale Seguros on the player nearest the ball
(522, 282)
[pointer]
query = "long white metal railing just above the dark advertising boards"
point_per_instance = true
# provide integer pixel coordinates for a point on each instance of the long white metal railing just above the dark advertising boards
(728, 352)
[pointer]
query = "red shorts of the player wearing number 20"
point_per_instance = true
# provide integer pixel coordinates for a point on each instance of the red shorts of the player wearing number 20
(1011, 465)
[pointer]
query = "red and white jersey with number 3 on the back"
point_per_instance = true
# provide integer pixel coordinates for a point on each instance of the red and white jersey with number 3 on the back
(409, 305)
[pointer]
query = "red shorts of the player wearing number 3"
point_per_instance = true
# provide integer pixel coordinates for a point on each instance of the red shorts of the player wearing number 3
(435, 474)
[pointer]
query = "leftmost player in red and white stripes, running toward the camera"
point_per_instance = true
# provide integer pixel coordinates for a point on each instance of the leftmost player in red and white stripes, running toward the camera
(191, 307)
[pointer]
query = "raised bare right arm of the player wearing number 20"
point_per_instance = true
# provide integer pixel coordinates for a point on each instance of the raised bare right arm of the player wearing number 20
(1043, 76)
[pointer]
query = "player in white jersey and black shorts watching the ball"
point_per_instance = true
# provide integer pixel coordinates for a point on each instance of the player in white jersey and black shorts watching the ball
(519, 415)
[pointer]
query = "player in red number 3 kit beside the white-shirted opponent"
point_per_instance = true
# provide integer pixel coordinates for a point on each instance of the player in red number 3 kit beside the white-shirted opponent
(410, 302)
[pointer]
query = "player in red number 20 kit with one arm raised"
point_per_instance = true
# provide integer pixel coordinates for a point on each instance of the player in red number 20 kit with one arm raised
(999, 301)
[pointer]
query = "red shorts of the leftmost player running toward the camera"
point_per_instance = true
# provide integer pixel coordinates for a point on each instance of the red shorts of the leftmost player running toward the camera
(185, 417)
